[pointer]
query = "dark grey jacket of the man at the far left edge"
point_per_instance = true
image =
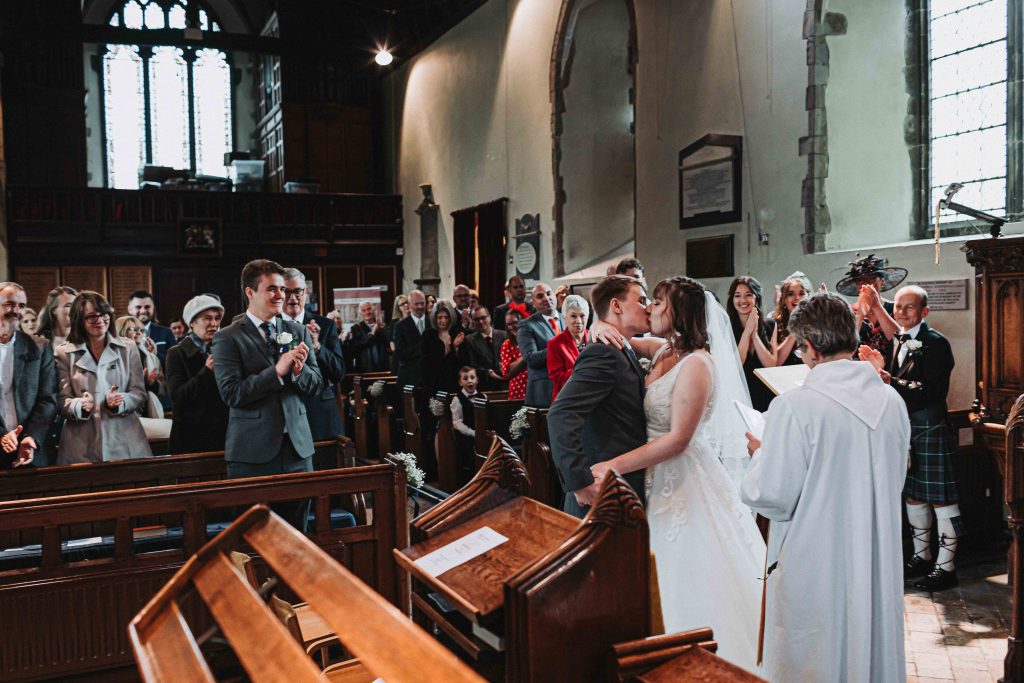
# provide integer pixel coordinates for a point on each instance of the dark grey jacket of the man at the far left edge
(35, 385)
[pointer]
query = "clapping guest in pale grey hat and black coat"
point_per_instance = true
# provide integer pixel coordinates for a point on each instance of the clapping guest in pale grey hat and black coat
(200, 414)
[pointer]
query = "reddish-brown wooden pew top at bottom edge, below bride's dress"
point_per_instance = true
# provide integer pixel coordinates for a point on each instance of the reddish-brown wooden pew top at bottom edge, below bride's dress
(679, 657)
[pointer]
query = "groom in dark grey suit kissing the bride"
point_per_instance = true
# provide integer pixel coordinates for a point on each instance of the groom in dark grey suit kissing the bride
(600, 413)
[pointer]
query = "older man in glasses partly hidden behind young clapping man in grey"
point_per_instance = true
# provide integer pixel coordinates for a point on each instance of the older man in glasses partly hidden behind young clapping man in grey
(322, 410)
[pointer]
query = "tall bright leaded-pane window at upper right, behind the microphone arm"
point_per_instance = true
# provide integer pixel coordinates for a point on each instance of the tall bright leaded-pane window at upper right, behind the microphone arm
(968, 56)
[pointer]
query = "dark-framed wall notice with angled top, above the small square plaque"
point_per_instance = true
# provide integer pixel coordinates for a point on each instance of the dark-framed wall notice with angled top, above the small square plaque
(710, 188)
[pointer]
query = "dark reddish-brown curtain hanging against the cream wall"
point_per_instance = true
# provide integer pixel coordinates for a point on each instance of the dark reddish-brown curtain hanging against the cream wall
(481, 233)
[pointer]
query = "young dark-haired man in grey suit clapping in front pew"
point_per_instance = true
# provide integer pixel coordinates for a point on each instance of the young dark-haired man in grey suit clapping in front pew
(265, 369)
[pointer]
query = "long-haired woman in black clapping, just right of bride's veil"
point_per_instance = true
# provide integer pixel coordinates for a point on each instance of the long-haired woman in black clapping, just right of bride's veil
(753, 334)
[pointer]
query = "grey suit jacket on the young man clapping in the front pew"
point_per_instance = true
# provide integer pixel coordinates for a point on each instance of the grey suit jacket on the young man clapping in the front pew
(262, 406)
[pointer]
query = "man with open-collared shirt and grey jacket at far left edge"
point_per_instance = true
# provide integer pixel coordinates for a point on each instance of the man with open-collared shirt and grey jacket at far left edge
(28, 386)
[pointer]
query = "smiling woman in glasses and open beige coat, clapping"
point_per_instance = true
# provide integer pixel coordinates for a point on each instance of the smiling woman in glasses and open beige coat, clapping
(102, 388)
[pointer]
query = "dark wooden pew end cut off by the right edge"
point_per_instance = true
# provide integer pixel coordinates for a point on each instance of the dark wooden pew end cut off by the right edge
(1007, 444)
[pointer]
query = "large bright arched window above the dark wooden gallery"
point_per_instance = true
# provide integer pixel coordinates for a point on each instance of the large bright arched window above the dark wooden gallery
(162, 105)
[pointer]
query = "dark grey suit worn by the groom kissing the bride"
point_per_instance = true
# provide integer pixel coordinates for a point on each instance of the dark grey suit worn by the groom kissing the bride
(599, 415)
